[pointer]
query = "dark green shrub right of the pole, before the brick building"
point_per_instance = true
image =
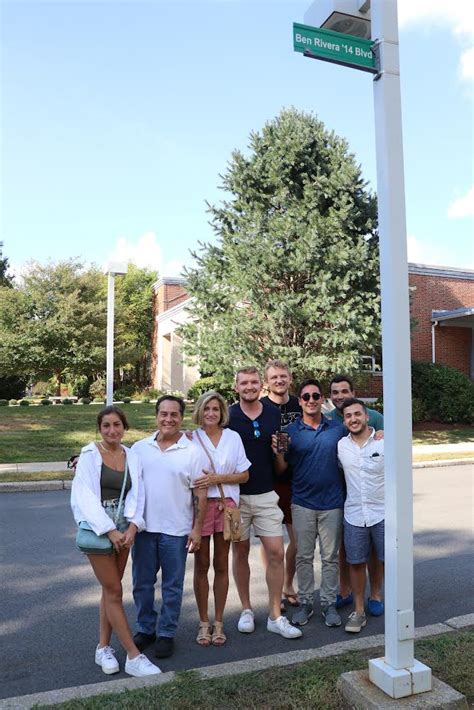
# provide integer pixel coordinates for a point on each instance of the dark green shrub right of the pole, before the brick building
(447, 394)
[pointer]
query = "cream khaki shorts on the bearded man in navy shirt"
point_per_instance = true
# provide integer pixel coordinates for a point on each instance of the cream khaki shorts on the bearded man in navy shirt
(263, 513)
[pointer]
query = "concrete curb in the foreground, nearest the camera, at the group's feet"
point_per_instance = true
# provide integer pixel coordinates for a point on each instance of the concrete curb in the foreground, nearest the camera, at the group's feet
(54, 697)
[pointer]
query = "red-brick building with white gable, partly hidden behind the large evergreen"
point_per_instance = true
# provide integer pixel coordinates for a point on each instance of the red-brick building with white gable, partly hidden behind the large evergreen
(442, 308)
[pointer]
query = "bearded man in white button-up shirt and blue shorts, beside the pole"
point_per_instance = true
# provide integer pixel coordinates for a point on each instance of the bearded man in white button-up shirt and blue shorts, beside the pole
(362, 459)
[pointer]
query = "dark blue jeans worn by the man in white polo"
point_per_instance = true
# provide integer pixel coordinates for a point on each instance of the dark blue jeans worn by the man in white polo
(150, 553)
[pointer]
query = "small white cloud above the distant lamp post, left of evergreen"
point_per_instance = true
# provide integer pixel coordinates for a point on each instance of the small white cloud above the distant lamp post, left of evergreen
(145, 253)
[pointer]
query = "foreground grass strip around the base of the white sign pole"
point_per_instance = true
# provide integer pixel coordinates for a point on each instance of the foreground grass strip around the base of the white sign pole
(310, 684)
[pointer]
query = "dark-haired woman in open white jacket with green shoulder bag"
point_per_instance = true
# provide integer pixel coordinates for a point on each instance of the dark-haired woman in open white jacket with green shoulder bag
(94, 495)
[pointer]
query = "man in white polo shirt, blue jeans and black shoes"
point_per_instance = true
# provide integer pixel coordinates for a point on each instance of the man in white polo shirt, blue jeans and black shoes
(171, 464)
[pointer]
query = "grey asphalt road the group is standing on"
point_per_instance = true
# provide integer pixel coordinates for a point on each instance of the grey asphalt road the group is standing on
(48, 610)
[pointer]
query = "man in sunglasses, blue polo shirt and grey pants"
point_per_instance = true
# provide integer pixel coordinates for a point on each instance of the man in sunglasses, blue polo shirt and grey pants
(317, 501)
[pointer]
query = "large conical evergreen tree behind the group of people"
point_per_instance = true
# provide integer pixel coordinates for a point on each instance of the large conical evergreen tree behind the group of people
(294, 270)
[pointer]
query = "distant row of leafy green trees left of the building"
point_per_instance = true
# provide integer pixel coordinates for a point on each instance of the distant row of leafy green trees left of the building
(53, 325)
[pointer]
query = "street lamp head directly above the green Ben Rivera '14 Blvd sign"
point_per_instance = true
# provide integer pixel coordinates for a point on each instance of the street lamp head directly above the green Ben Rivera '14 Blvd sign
(351, 17)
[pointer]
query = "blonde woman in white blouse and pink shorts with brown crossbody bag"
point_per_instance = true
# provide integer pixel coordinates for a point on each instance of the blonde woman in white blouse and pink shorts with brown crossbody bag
(231, 468)
